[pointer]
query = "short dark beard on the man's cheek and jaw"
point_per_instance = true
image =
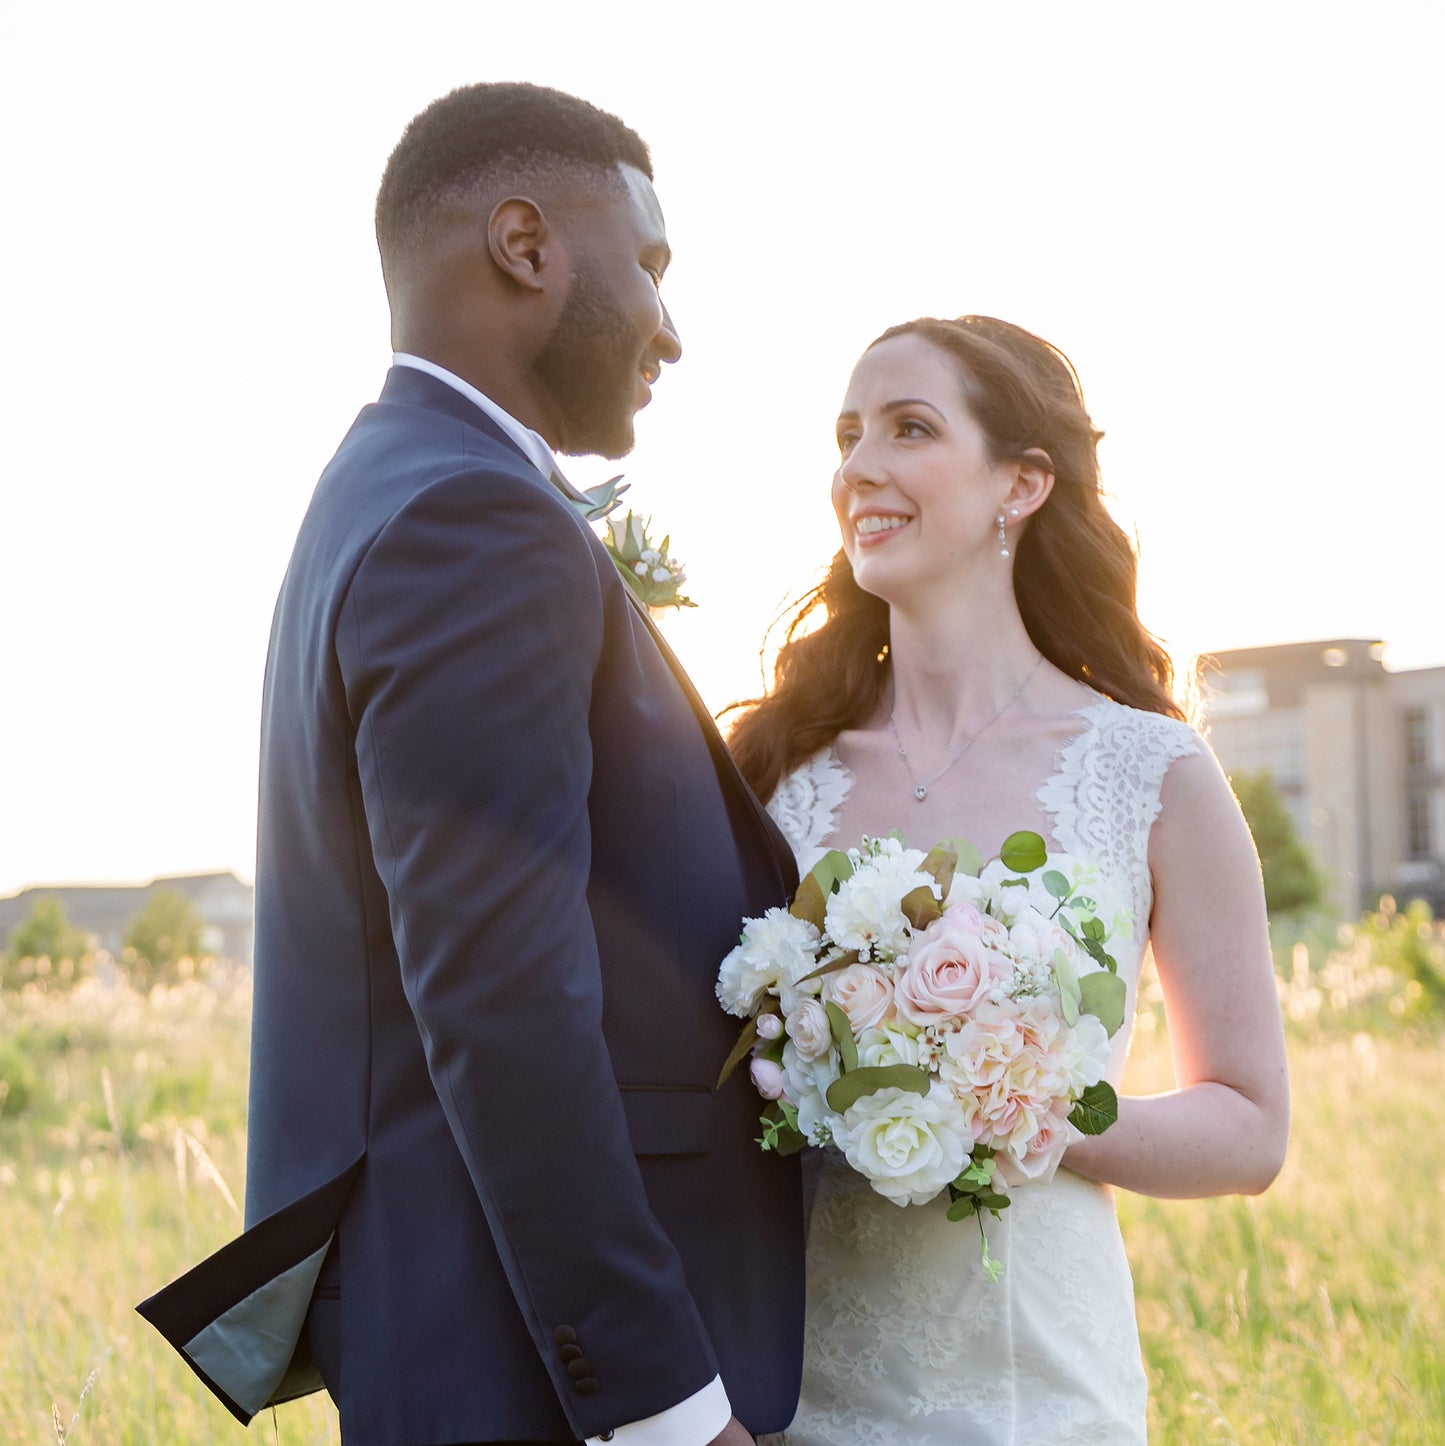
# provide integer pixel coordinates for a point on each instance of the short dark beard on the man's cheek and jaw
(589, 368)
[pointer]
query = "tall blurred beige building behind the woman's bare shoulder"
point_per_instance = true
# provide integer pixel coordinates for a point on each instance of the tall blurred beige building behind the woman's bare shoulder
(1357, 753)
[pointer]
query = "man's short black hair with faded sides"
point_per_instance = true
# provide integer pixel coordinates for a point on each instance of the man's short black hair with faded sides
(481, 135)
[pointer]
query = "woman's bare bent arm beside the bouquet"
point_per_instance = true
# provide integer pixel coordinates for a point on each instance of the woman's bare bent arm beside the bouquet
(1224, 1130)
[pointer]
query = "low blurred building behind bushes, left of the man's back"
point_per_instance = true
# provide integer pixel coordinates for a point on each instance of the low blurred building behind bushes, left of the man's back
(105, 912)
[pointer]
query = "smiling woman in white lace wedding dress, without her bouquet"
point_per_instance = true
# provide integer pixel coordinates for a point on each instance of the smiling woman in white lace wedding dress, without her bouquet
(980, 670)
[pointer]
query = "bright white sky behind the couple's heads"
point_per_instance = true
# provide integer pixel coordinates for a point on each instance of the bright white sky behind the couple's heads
(1226, 215)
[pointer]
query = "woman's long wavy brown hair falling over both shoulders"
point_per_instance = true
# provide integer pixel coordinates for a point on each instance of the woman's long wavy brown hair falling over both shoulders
(1074, 568)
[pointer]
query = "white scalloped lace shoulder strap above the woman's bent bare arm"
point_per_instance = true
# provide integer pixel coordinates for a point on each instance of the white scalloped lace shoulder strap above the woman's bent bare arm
(1104, 795)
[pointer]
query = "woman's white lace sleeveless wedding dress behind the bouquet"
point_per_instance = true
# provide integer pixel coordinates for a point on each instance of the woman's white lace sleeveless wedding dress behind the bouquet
(908, 1343)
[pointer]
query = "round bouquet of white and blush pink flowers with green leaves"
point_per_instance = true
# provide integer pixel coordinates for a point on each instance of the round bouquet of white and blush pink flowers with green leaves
(937, 1023)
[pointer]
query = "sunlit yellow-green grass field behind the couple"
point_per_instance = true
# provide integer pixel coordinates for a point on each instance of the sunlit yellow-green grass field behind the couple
(1314, 1314)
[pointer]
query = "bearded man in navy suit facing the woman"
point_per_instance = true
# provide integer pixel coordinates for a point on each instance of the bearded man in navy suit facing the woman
(493, 1195)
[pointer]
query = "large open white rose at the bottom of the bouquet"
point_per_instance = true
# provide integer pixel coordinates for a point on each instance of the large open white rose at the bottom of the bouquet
(909, 1146)
